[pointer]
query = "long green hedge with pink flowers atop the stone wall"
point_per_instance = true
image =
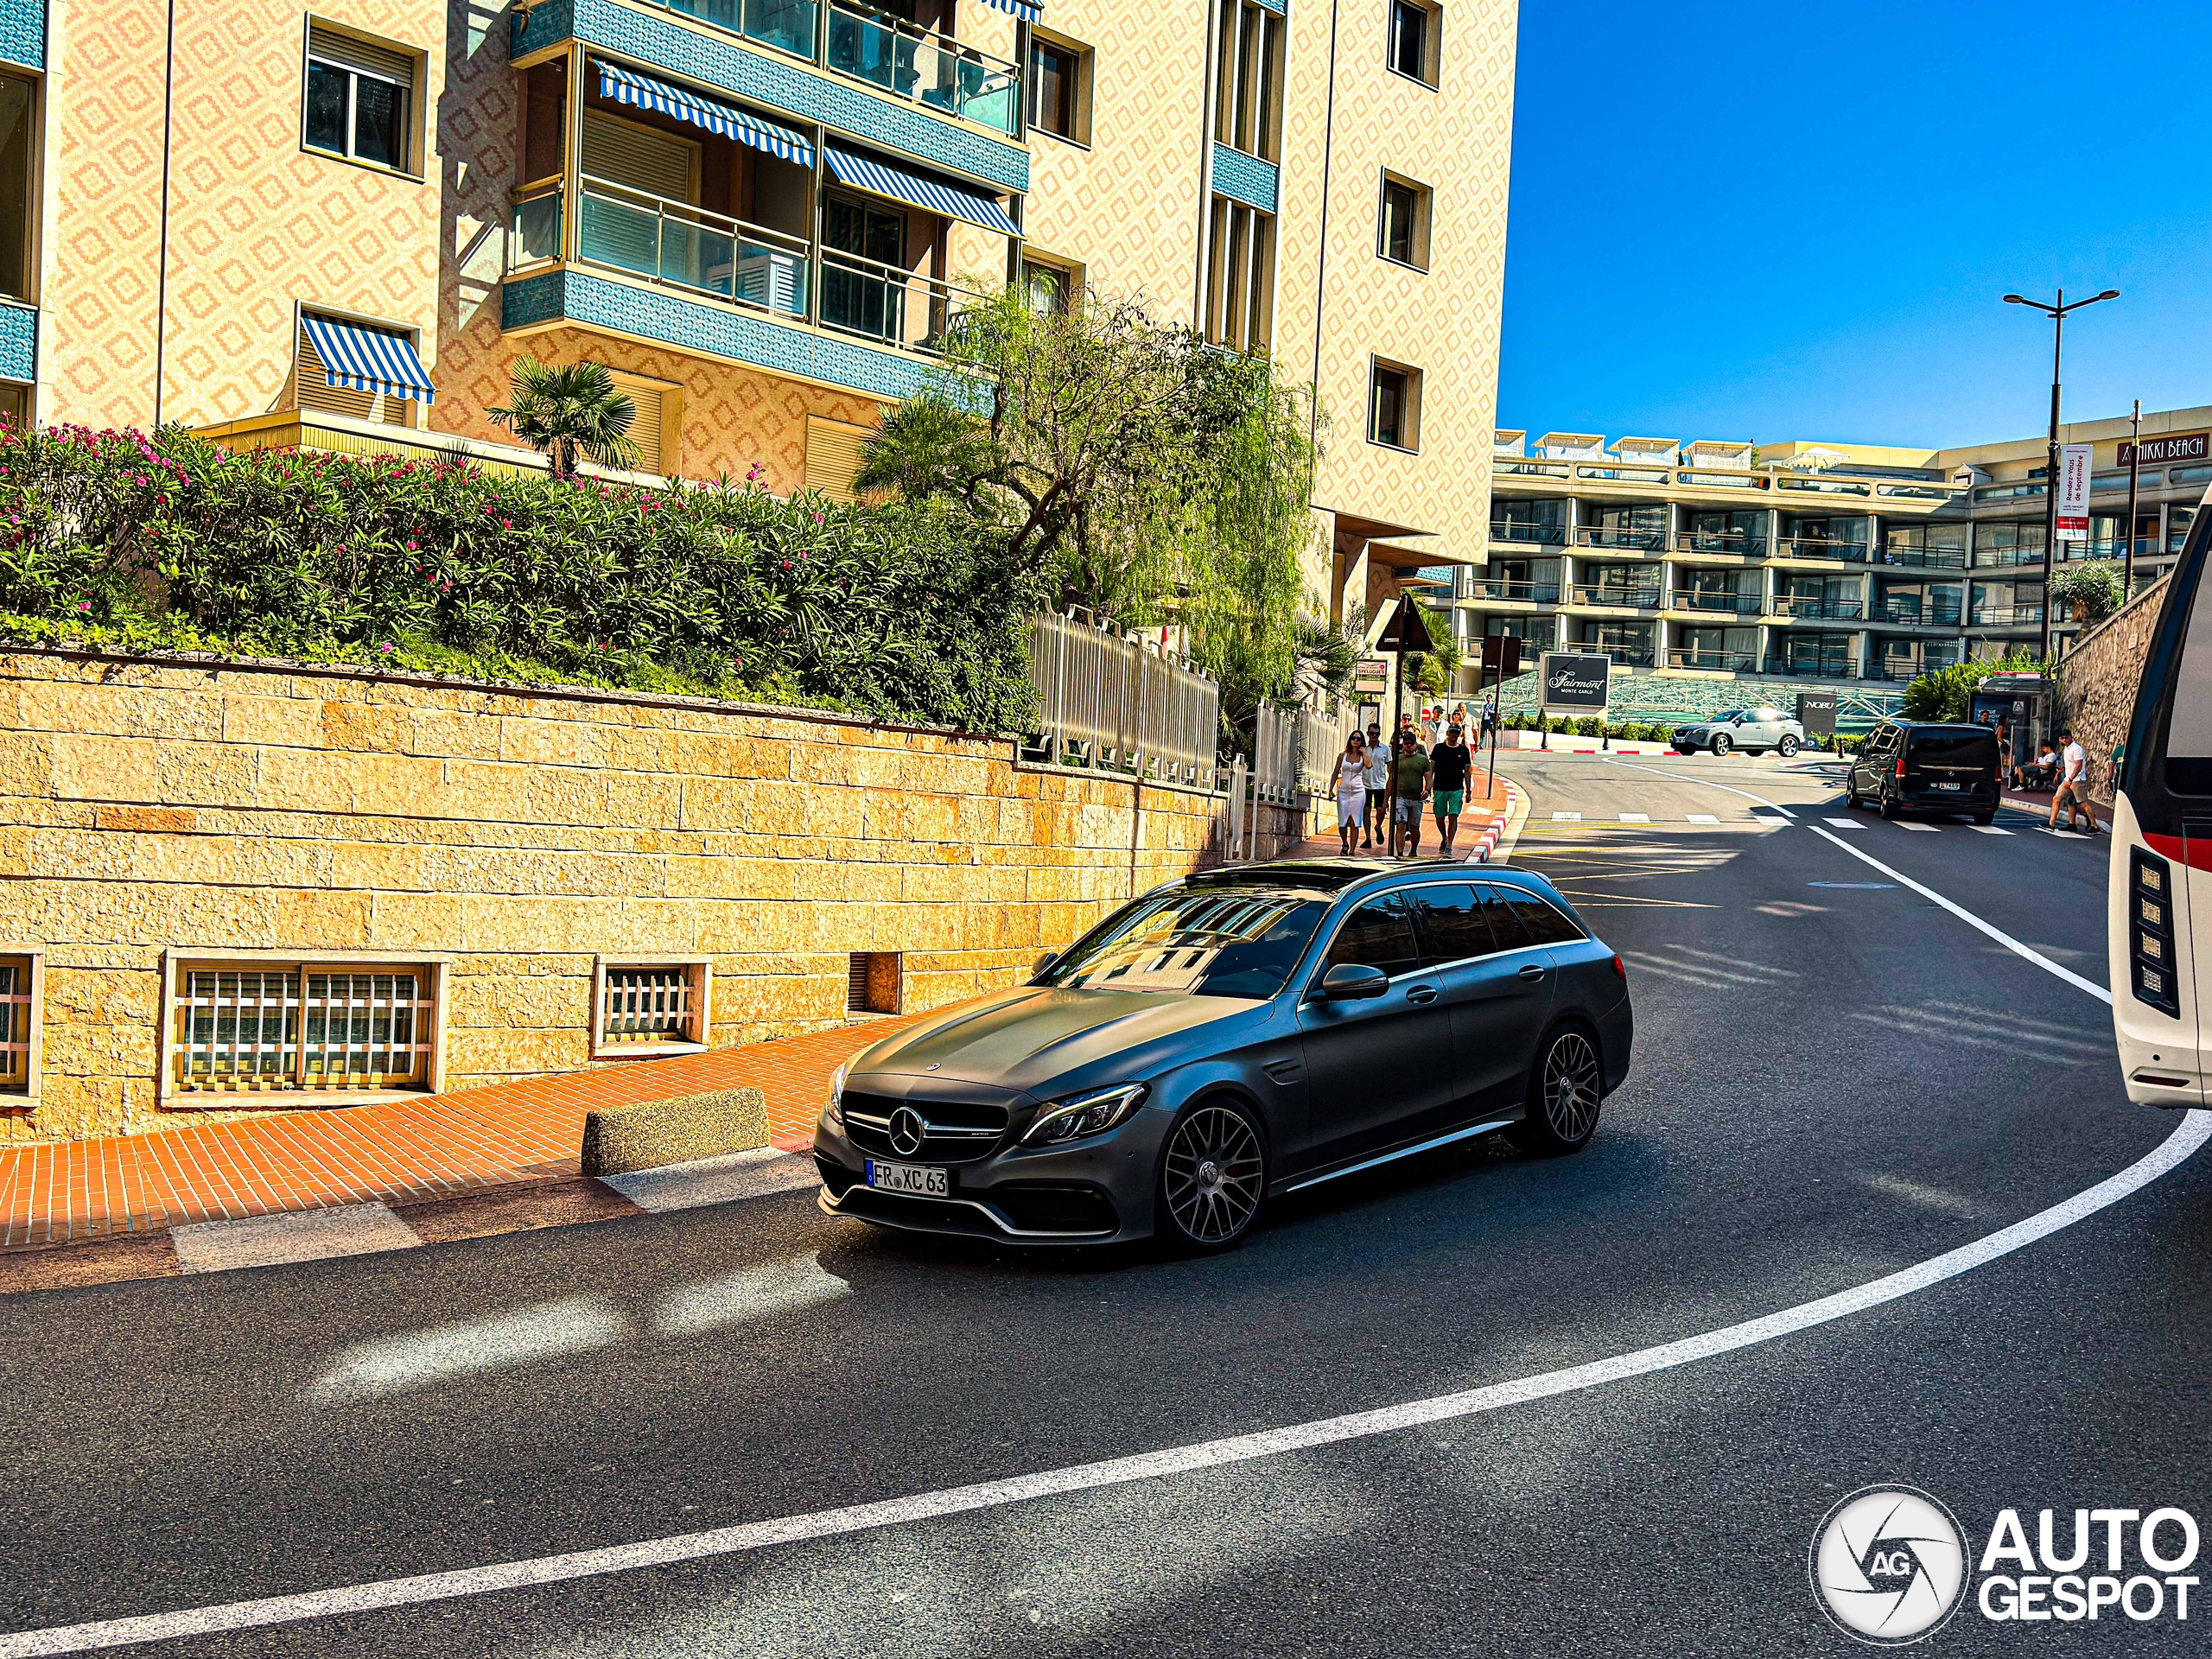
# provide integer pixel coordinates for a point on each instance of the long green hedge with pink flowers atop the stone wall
(904, 612)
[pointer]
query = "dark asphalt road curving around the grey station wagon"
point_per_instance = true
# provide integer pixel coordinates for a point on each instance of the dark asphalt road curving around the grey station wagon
(1835, 1081)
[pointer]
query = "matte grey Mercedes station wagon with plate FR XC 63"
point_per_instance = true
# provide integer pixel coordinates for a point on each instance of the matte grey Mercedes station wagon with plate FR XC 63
(1231, 1039)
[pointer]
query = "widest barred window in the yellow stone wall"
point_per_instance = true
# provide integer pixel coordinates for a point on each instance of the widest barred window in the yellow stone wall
(289, 1027)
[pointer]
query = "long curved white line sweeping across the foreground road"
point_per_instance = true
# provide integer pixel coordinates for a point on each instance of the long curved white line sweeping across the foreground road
(1116, 1472)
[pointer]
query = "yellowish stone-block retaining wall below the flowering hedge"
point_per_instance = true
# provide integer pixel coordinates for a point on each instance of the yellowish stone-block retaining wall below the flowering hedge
(207, 811)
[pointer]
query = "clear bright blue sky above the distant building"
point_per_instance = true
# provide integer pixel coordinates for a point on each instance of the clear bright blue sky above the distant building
(1795, 222)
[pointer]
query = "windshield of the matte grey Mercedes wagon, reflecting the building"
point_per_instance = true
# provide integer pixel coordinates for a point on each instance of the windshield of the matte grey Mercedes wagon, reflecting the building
(1211, 943)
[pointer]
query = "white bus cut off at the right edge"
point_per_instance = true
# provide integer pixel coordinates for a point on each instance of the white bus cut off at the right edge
(2160, 890)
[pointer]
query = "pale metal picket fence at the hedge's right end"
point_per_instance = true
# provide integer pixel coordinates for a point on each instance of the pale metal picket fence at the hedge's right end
(1123, 705)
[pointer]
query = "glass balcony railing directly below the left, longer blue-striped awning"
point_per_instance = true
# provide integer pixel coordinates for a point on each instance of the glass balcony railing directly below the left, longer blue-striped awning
(685, 247)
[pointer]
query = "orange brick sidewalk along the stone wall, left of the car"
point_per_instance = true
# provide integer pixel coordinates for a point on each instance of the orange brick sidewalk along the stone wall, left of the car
(390, 1154)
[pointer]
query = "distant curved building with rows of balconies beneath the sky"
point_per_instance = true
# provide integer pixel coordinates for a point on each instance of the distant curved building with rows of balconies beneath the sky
(1815, 563)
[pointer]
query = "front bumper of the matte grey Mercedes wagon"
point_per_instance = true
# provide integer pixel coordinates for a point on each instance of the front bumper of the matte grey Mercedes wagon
(1054, 1196)
